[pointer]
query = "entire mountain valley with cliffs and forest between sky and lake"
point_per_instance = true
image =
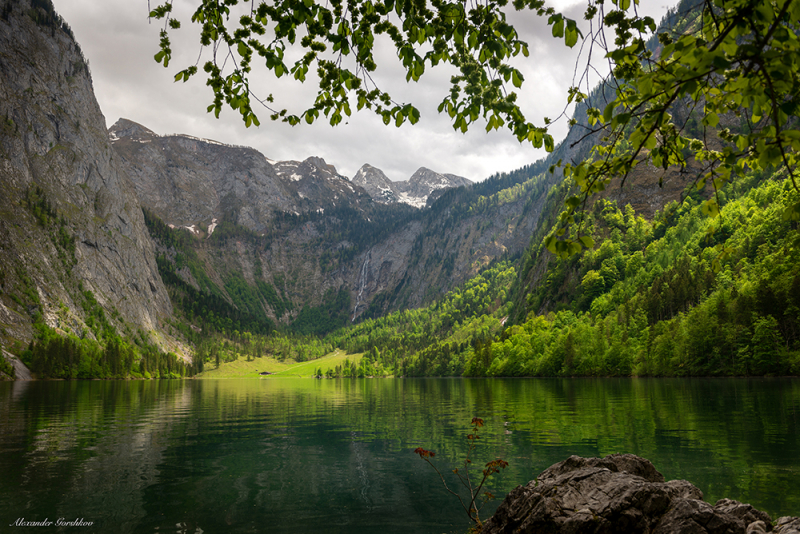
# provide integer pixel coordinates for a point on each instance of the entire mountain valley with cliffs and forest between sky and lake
(128, 253)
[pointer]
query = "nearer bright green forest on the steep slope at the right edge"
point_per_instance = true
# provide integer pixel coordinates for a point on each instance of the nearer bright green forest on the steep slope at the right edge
(681, 295)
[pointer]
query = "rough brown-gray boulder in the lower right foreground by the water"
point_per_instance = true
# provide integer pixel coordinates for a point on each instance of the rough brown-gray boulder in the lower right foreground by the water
(622, 493)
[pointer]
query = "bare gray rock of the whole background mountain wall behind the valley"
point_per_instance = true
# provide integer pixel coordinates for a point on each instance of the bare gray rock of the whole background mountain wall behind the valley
(193, 183)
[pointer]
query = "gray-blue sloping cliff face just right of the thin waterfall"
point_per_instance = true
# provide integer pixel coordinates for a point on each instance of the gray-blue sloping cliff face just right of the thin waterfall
(458, 236)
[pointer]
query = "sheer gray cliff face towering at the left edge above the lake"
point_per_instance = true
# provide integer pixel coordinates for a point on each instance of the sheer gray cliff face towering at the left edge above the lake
(71, 222)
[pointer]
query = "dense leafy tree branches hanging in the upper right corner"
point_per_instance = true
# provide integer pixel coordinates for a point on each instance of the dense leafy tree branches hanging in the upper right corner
(736, 65)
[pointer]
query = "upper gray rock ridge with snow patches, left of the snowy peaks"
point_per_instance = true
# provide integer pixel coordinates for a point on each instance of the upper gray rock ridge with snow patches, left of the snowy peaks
(189, 182)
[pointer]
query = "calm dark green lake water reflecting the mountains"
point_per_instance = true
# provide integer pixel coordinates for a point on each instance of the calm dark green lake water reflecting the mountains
(303, 455)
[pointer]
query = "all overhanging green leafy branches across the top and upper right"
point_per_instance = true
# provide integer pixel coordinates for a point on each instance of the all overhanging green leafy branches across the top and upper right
(735, 66)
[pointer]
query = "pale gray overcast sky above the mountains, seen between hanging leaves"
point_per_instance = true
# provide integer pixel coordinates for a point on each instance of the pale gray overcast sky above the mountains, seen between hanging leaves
(119, 42)
